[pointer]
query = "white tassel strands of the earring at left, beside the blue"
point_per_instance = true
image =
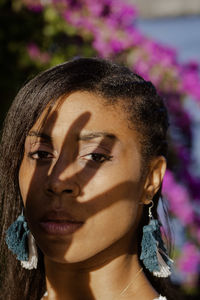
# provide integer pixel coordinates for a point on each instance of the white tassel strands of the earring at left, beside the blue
(33, 255)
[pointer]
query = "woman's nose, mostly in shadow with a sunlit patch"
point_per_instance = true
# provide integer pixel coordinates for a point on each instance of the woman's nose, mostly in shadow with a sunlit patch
(62, 182)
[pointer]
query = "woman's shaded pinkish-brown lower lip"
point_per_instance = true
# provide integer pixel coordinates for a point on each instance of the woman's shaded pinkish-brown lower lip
(60, 228)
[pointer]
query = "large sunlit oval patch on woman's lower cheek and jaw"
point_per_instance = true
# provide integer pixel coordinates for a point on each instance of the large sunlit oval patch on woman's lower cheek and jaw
(107, 227)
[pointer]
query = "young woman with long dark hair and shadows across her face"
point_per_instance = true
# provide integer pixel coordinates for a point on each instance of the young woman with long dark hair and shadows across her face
(83, 157)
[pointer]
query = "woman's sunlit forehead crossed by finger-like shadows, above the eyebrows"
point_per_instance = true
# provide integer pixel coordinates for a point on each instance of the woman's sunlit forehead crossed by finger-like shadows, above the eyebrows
(82, 112)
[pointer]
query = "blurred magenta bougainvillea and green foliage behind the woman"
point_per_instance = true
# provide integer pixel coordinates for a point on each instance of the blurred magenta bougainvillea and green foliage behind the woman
(37, 34)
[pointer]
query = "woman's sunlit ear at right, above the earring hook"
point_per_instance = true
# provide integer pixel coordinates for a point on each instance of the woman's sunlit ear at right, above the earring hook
(154, 178)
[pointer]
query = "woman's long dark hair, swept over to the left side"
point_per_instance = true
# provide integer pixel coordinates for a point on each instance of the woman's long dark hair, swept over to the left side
(145, 111)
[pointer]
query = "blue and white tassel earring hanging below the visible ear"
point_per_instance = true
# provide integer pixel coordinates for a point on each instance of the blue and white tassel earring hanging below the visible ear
(154, 254)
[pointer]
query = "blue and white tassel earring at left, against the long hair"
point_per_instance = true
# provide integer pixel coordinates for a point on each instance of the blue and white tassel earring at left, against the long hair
(22, 243)
